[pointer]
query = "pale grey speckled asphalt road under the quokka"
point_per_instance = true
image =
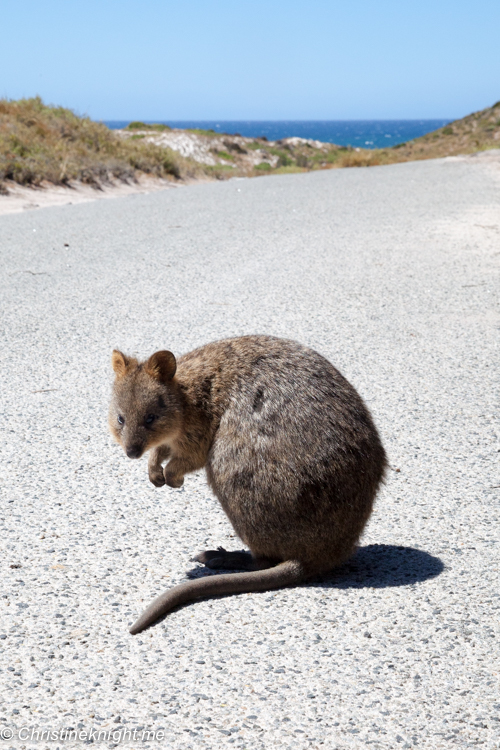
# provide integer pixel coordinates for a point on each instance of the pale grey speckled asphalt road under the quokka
(391, 272)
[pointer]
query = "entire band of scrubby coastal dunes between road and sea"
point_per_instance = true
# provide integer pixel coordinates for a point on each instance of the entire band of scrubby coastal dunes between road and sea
(42, 144)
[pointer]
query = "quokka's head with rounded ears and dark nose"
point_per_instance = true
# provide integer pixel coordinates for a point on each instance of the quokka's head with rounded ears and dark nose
(145, 406)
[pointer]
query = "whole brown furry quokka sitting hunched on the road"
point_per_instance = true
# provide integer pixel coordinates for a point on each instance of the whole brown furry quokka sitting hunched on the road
(290, 451)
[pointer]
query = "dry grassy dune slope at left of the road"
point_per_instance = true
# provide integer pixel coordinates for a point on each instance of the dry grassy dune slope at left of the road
(41, 143)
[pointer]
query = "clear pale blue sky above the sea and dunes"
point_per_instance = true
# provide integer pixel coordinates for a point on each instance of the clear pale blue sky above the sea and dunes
(272, 60)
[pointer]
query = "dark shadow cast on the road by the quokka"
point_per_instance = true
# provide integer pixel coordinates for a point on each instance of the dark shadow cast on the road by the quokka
(373, 566)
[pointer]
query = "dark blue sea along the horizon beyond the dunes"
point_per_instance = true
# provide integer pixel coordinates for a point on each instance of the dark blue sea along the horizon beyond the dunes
(361, 133)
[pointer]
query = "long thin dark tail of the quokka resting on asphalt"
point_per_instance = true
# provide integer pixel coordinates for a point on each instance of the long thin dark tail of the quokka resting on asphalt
(284, 574)
